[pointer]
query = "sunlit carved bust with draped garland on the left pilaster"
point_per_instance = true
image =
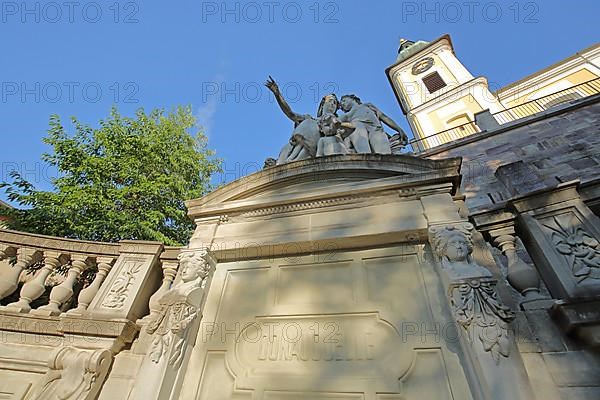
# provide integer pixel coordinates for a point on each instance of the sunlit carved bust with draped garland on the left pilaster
(178, 308)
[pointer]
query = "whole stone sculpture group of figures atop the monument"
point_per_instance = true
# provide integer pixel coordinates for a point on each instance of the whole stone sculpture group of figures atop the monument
(358, 130)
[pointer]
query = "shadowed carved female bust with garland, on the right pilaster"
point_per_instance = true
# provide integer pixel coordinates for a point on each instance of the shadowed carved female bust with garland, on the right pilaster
(472, 291)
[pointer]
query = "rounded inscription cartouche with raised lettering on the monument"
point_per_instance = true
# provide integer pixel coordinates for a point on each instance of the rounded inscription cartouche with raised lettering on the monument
(300, 349)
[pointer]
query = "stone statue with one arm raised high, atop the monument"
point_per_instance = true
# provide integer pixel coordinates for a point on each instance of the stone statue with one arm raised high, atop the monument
(305, 137)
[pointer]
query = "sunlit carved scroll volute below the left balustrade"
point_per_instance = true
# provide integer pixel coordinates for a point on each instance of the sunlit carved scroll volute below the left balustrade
(74, 374)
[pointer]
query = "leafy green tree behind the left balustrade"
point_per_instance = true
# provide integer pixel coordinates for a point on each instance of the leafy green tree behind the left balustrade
(127, 179)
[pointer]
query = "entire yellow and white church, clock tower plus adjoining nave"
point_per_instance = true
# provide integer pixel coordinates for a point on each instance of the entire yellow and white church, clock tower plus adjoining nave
(442, 99)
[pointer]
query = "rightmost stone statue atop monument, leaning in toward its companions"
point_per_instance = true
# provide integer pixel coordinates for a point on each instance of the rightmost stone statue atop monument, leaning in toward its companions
(368, 135)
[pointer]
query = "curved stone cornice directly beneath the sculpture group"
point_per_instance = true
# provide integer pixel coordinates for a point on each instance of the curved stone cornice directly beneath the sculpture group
(326, 179)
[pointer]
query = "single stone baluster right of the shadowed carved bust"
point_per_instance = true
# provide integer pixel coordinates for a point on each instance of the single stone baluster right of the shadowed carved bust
(521, 275)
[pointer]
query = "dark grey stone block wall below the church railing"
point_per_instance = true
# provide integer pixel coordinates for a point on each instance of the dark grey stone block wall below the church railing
(556, 146)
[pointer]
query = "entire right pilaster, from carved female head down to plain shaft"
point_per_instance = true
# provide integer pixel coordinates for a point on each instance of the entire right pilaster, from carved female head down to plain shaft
(482, 319)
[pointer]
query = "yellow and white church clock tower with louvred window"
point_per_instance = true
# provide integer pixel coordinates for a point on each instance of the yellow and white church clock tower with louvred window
(438, 95)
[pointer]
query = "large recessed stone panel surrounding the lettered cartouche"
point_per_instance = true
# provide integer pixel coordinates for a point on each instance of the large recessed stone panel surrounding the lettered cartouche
(346, 325)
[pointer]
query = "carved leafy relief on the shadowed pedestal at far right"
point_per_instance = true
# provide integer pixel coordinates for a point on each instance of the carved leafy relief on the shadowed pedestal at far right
(578, 246)
